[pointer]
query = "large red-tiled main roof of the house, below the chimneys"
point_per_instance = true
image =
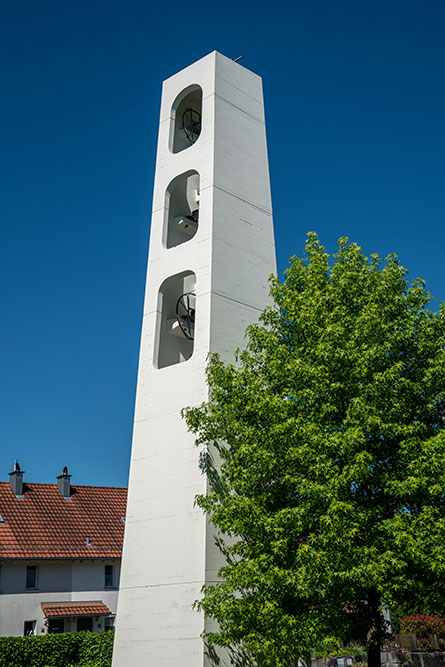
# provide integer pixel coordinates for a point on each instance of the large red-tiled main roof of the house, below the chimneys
(43, 524)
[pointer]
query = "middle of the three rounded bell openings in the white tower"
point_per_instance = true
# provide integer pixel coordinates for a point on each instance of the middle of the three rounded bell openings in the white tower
(182, 209)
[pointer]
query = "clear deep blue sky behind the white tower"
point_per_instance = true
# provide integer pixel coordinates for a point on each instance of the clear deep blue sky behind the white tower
(355, 109)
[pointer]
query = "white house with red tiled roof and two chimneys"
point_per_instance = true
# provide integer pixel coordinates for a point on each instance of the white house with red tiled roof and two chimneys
(60, 555)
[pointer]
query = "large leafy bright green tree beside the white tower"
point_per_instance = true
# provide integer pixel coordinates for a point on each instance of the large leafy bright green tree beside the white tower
(328, 495)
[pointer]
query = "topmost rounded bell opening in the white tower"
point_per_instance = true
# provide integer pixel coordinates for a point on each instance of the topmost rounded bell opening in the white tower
(186, 119)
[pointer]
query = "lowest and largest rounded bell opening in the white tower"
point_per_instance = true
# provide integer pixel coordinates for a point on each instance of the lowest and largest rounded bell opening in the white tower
(176, 320)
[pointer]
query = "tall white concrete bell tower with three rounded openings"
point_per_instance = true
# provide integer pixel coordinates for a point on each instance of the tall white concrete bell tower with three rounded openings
(211, 241)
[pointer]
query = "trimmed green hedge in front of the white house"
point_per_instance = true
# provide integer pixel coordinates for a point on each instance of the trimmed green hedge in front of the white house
(71, 649)
